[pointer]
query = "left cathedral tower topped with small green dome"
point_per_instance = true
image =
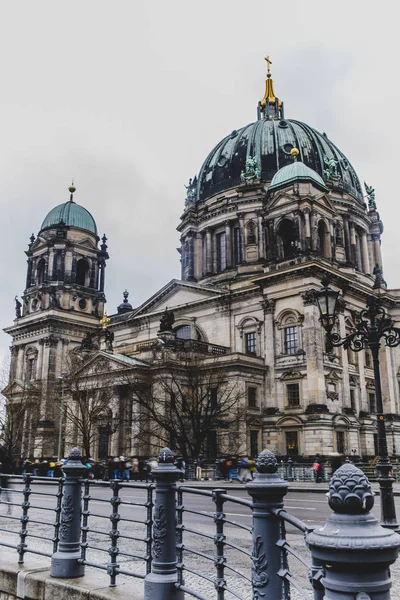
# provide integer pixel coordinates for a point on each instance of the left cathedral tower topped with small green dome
(62, 303)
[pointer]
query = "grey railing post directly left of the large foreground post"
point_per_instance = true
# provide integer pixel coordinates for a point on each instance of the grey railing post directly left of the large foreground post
(267, 490)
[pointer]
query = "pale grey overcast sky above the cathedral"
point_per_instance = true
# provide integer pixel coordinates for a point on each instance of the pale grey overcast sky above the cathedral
(129, 97)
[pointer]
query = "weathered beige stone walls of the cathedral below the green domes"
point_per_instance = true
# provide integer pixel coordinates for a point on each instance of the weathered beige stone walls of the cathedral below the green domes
(251, 258)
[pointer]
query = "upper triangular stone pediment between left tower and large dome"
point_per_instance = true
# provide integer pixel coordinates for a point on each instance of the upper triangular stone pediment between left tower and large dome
(177, 293)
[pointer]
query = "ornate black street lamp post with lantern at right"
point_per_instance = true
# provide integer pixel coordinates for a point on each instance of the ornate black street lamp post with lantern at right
(372, 328)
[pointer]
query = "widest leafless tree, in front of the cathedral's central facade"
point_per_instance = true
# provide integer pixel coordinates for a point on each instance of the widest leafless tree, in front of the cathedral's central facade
(187, 404)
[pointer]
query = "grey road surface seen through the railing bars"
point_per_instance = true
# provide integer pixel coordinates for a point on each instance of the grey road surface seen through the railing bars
(312, 508)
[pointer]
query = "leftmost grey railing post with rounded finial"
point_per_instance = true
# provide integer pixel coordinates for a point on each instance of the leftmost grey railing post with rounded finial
(64, 562)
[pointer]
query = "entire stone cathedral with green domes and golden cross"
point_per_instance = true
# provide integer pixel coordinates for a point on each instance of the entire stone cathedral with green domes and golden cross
(275, 209)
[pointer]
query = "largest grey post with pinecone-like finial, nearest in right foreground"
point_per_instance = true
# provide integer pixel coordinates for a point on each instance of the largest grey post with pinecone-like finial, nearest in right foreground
(354, 550)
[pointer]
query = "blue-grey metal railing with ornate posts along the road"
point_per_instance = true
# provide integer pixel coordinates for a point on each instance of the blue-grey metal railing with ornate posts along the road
(156, 532)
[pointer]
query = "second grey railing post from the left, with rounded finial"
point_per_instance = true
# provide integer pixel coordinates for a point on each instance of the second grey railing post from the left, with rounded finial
(160, 584)
